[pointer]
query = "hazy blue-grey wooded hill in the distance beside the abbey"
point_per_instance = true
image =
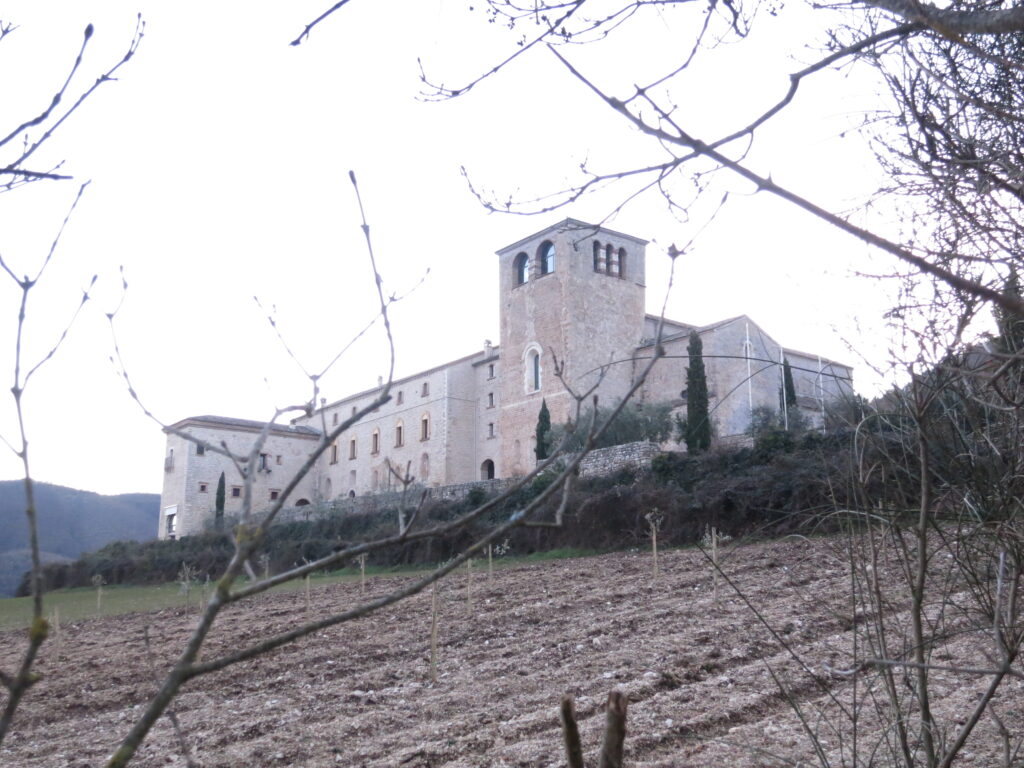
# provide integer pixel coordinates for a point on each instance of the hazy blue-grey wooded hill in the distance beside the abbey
(71, 523)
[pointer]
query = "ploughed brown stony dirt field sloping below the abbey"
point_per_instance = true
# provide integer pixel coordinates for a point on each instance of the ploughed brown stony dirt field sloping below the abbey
(699, 673)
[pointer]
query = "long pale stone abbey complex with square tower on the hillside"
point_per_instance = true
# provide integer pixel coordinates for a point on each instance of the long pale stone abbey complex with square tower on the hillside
(574, 289)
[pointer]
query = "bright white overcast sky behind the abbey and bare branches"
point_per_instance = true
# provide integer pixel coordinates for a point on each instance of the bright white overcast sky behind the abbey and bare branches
(219, 165)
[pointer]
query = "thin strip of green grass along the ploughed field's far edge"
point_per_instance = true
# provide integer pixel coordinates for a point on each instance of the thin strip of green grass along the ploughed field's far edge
(80, 604)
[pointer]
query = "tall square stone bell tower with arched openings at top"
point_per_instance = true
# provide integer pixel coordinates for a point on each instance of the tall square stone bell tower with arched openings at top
(576, 292)
